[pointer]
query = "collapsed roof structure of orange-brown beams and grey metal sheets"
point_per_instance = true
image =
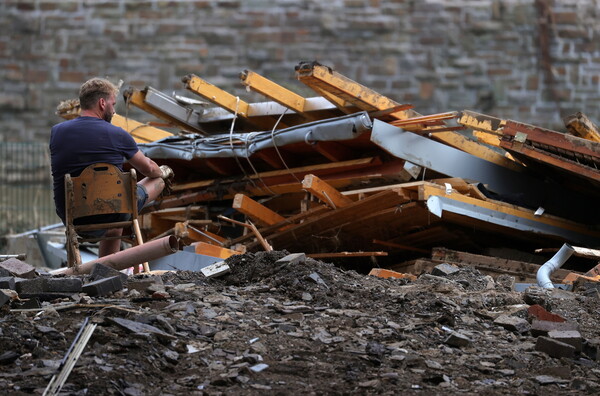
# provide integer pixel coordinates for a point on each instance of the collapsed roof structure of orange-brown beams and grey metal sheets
(352, 173)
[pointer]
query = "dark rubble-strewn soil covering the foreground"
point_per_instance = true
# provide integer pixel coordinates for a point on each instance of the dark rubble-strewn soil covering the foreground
(310, 328)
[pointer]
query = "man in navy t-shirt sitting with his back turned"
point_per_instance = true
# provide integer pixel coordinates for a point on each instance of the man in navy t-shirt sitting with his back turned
(90, 139)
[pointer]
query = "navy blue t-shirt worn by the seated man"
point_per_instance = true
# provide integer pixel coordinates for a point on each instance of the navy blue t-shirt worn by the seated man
(83, 141)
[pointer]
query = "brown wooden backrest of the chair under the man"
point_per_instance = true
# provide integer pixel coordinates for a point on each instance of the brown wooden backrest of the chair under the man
(101, 189)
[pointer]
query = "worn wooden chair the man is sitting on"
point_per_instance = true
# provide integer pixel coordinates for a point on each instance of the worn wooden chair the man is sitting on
(100, 189)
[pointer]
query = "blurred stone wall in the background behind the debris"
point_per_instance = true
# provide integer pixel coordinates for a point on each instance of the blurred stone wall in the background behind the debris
(533, 61)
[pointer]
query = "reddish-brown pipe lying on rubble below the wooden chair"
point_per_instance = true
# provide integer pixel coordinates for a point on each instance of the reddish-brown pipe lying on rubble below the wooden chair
(127, 258)
